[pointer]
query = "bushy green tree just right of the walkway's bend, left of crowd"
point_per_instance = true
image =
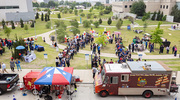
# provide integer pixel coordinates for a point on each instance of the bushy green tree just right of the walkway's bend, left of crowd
(61, 33)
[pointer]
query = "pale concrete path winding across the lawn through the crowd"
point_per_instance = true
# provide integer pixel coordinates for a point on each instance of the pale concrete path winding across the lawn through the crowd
(48, 41)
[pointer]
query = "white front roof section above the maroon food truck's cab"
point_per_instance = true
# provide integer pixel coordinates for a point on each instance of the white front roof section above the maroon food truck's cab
(119, 68)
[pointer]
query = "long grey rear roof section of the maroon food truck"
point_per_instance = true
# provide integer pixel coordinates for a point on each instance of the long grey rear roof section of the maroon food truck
(148, 65)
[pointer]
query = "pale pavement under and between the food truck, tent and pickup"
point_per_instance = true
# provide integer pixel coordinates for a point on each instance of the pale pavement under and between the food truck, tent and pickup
(85, 91)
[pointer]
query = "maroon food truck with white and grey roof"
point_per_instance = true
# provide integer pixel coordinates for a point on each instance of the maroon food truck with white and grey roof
(136, 78)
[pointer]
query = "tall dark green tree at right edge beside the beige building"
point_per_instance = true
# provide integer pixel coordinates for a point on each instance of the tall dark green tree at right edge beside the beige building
(176, 13)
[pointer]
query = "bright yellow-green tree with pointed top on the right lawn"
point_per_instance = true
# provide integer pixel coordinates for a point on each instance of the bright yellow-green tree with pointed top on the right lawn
(156, 35)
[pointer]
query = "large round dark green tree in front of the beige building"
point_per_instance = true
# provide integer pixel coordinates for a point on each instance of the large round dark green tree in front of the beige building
(138, 8)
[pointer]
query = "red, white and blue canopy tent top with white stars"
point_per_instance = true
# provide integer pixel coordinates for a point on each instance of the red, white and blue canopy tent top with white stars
(54, 76)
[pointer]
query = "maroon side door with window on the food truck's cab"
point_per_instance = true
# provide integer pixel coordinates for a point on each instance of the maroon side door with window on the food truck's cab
(113, 85)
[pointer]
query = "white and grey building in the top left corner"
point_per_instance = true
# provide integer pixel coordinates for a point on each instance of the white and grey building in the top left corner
(14, 10)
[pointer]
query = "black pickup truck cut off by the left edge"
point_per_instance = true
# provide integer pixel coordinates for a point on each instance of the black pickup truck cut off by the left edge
(8, 82)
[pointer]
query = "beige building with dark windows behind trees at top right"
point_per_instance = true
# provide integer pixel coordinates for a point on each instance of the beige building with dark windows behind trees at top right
(165, 6)
